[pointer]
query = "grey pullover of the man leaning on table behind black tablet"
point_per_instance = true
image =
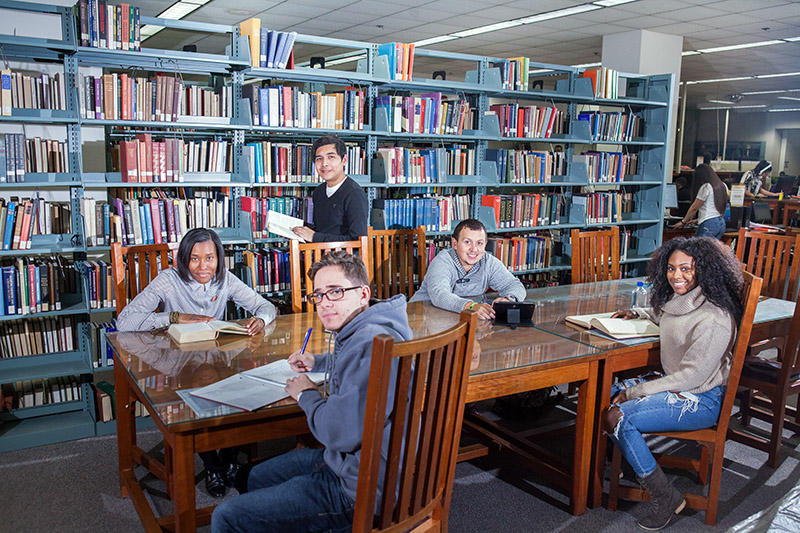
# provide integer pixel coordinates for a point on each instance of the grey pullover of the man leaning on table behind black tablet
(447, 285)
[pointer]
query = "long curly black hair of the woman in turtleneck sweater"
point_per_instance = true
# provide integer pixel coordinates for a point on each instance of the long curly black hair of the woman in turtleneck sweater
(717, 271)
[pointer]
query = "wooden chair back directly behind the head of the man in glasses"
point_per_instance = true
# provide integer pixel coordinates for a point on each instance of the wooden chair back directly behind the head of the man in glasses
(303, 255)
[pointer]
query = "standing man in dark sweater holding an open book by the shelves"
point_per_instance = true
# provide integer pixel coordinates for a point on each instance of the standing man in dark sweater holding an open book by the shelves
(340, 204)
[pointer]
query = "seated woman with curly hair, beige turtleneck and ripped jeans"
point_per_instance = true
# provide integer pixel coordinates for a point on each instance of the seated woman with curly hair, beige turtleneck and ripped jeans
(696, 299)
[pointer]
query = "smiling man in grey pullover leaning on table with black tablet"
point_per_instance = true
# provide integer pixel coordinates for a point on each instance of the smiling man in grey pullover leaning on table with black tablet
(460, 275)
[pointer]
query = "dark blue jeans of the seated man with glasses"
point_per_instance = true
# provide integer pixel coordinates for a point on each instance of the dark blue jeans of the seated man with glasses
(295, 491)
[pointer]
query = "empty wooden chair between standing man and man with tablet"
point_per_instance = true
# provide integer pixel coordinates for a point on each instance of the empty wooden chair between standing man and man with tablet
(398, 260)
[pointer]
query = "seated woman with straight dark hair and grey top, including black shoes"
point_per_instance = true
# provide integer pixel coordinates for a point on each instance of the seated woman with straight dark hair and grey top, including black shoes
(197, 289)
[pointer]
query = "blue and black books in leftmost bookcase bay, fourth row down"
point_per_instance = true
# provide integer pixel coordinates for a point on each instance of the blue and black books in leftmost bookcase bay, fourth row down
(35, 284)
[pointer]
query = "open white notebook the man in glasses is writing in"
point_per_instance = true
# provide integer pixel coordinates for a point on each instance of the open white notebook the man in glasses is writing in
(253, 389)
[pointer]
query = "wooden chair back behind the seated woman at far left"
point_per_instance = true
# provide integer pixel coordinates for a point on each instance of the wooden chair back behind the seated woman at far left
(135, 266)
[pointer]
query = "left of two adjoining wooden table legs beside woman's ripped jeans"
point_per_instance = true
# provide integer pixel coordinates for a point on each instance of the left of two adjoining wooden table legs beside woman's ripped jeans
(582, 455)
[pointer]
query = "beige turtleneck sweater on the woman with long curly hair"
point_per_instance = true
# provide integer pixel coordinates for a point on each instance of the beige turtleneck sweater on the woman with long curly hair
(696, 341)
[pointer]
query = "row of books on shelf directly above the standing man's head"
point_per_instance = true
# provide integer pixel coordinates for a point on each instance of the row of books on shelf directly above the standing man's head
(282, 106)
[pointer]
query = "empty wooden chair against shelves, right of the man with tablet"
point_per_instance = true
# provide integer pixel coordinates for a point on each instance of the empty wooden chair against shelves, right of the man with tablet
(595, 255)
